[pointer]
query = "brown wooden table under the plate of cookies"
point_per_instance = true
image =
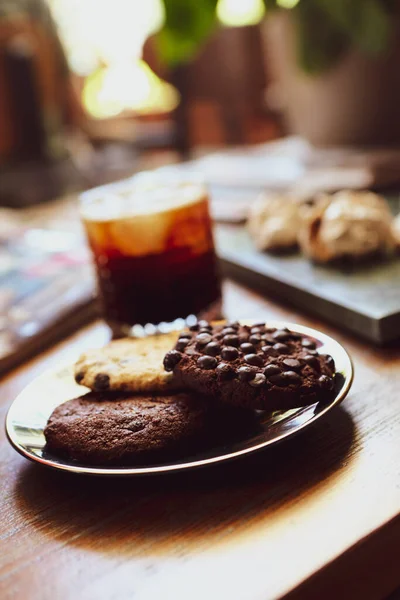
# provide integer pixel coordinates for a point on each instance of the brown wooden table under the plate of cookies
(317, 517)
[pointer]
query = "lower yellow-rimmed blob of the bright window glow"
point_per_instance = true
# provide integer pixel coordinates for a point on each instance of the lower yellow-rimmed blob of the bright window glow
(127, 86)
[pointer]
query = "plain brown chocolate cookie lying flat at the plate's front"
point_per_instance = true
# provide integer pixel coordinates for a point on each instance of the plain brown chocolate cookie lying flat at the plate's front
(96, 429)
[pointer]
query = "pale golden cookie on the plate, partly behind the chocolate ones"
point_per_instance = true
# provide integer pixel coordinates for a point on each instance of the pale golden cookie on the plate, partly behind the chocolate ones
(130, 365)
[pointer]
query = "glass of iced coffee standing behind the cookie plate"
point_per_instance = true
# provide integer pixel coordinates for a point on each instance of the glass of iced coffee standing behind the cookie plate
(152, 244)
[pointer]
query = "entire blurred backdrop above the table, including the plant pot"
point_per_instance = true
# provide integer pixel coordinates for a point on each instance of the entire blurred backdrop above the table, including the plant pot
(88, 86)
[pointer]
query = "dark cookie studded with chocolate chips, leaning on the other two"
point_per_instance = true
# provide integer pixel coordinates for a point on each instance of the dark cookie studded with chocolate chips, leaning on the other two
(256, 366)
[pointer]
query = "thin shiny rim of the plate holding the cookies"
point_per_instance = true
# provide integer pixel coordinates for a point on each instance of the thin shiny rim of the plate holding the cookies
(220, 458)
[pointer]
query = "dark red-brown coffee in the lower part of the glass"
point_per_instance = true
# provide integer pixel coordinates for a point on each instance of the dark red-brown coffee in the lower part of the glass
(157, 287)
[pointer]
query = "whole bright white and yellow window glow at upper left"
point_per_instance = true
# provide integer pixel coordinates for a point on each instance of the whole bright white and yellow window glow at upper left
(104, 42)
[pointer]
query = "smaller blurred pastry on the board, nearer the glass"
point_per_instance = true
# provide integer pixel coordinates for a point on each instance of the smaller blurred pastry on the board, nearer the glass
(274, 221)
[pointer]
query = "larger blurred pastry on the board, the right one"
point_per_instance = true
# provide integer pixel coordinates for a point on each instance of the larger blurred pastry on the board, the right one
(346, 224)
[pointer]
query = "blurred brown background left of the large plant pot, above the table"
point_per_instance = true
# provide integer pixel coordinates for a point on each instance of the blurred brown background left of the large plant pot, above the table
(87, 86)
